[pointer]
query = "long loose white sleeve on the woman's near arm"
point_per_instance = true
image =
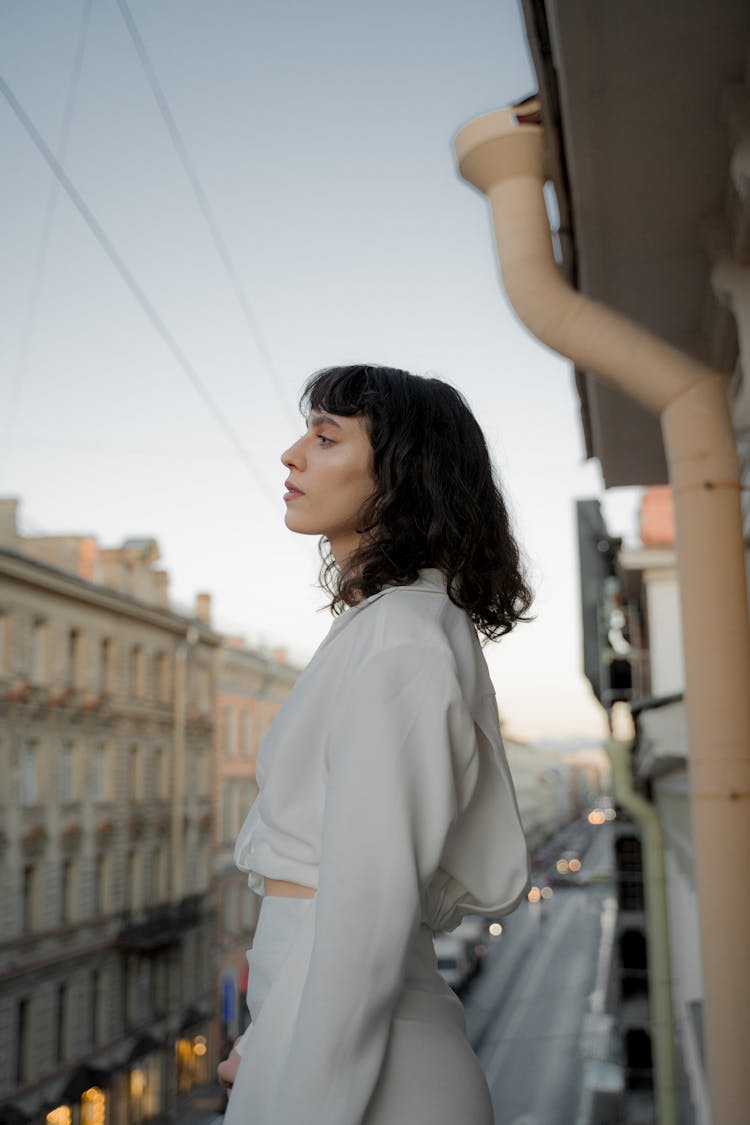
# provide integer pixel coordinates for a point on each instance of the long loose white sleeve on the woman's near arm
(401, 741)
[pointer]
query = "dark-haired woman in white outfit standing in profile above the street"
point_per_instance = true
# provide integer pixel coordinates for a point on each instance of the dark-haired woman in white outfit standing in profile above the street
(386, 809)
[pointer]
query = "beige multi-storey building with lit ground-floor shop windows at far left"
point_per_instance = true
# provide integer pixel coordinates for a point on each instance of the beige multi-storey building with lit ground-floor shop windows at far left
(106, 833)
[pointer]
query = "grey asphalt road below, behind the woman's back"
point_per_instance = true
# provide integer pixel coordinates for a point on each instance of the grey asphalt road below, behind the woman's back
(527, 1010)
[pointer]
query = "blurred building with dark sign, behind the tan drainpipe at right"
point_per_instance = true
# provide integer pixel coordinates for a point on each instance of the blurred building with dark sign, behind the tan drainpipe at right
(632, 640)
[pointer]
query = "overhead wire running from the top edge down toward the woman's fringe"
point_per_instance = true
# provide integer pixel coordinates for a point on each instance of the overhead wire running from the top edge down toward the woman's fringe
(204, 205)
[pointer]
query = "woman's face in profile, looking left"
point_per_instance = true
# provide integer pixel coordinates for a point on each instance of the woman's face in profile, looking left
(330, 480)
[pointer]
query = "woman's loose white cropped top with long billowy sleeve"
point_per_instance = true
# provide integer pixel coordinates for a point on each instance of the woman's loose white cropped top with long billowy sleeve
(384, 784)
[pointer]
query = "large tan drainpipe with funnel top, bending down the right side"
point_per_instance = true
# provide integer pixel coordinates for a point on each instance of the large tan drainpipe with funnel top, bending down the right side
(503, 157)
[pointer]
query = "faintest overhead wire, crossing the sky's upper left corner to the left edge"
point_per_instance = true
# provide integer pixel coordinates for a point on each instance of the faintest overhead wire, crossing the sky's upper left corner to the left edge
(38, 277)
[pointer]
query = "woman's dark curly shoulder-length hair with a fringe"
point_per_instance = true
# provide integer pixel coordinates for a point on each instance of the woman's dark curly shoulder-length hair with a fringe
(437, 503)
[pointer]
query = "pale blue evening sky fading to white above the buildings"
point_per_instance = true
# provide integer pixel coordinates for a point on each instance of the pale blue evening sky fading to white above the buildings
(321, 137)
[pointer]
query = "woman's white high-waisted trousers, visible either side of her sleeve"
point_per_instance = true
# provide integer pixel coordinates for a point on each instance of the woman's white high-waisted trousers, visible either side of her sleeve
(430, 1075)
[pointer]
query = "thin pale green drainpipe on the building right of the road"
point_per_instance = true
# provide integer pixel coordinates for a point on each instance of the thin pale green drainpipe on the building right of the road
(657, 929)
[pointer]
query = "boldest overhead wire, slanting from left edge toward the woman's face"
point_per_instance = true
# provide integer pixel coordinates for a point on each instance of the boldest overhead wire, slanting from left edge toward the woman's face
(132, 284)
